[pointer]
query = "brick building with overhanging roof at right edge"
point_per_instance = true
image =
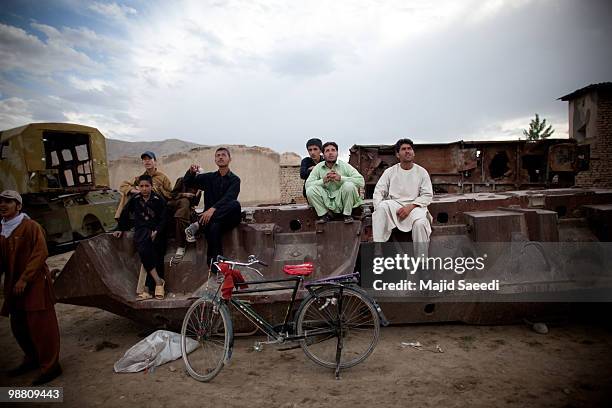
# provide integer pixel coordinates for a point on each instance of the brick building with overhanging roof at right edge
(590, 123)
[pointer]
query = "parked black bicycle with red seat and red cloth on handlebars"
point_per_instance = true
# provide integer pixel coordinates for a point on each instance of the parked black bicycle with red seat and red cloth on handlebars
(307, 332)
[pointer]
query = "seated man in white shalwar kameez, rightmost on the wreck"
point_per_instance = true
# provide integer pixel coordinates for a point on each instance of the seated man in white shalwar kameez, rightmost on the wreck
(401, 197)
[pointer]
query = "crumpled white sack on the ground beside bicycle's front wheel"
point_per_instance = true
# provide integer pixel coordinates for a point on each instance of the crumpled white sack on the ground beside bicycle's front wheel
(156, 349)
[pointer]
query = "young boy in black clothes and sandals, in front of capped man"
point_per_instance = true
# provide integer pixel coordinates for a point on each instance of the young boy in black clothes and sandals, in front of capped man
(148, 210)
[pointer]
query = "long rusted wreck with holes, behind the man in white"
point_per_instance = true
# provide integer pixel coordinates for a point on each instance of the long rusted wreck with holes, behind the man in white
(479, 166)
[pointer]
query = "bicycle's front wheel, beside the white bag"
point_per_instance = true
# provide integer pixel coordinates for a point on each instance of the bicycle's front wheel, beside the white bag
(206, 339)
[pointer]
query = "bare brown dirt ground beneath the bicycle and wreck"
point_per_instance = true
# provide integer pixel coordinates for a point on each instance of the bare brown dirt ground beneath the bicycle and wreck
(484, 366)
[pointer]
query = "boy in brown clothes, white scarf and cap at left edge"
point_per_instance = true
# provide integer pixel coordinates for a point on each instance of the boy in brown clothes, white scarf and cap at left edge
(28, 290)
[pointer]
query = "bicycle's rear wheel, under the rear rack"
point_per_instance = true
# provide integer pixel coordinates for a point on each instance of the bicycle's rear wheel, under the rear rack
(320, 321)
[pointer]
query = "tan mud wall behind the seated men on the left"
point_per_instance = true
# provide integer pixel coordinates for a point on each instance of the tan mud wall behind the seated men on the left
(257, 167)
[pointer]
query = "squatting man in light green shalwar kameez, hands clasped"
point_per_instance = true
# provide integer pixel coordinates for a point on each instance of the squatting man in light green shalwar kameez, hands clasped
(333, 186)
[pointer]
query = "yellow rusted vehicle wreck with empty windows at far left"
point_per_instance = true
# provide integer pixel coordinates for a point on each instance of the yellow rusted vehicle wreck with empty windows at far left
(62, 173)
